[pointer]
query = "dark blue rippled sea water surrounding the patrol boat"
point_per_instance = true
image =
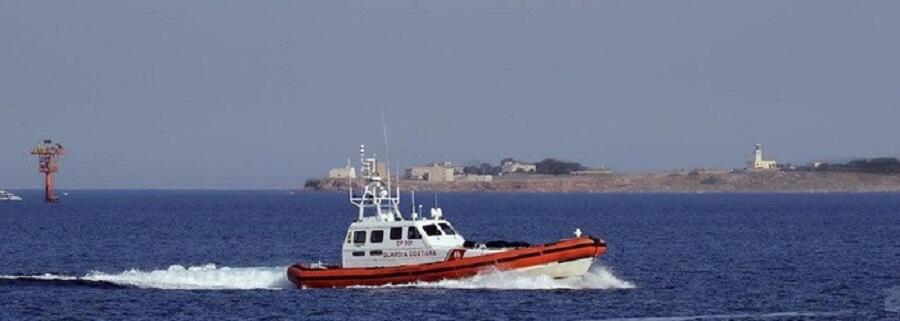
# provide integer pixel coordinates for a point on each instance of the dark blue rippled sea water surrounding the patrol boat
(221, 255)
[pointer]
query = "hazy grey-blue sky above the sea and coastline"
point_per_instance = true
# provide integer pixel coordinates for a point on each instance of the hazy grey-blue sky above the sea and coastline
(264, 94)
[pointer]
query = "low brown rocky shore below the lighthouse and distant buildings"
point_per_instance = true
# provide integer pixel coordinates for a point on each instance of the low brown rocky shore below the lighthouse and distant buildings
(663, 182)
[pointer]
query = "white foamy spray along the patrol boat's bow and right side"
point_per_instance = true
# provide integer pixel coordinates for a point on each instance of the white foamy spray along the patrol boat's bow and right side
(599, 277)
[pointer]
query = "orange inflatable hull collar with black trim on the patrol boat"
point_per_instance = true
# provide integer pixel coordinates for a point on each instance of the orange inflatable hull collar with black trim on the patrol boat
(452, 268)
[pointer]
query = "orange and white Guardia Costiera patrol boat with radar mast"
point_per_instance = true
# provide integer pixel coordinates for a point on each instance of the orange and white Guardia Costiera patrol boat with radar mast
(384, 247)
